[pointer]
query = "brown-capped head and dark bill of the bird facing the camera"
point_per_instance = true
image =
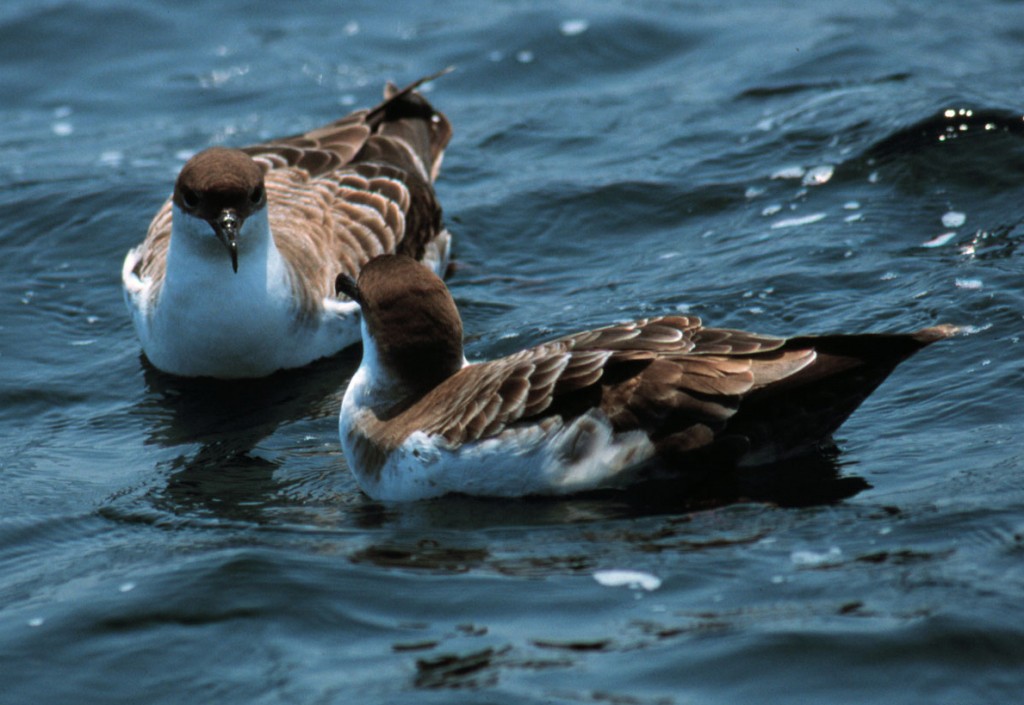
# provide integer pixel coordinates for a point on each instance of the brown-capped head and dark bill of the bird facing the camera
(223, 187)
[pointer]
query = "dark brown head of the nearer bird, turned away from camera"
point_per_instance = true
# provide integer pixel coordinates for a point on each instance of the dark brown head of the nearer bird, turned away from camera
(412, 319)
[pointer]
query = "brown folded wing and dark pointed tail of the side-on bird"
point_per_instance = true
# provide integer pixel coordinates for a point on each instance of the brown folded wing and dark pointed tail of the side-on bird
(706, 395)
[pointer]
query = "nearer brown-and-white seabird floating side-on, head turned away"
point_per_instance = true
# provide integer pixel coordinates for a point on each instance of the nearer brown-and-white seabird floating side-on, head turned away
(656, 398)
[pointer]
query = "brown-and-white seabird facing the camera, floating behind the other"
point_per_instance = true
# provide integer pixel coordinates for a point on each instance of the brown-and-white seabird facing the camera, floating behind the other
(236, 277)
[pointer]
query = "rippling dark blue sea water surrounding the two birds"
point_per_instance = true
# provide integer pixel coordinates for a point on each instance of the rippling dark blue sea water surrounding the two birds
(782, 168)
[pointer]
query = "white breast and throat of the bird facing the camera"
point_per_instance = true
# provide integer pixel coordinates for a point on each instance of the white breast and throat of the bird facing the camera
(210, 321)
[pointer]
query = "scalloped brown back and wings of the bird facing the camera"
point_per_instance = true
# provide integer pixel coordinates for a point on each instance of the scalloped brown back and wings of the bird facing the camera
(344, 193)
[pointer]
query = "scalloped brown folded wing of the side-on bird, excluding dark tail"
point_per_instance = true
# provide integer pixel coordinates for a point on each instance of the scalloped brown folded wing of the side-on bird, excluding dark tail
(646, 375)
